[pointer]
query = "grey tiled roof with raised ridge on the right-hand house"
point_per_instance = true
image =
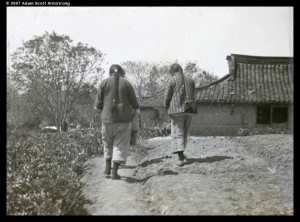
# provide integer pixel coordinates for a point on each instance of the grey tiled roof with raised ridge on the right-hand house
(252, 79)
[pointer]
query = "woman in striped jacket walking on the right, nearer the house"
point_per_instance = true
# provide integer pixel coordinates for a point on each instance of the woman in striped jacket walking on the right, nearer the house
(179, 99)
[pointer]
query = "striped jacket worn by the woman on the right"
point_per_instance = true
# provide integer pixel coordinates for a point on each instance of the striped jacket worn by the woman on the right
(176, 95)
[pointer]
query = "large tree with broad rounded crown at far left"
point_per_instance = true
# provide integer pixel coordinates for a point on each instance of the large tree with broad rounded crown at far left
(52, 74)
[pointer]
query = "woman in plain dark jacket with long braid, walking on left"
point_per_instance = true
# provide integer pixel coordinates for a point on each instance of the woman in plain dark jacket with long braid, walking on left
(116, 99)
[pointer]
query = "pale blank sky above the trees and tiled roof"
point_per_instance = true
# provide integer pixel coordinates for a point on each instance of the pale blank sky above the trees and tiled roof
(162, 34)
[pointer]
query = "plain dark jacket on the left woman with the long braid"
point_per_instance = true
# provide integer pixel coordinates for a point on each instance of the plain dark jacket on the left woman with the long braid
(126, 101)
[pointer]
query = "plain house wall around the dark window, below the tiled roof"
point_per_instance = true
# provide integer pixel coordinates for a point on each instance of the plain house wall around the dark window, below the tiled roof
(227, 120)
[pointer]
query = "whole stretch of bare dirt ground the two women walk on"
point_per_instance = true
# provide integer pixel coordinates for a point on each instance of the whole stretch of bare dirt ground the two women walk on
(222, 176)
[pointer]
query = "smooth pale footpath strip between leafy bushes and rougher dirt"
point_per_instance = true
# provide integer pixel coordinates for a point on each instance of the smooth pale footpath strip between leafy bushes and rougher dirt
(113, 197)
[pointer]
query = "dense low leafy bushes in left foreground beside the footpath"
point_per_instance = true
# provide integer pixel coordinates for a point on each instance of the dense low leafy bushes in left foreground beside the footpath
(44, 171)
